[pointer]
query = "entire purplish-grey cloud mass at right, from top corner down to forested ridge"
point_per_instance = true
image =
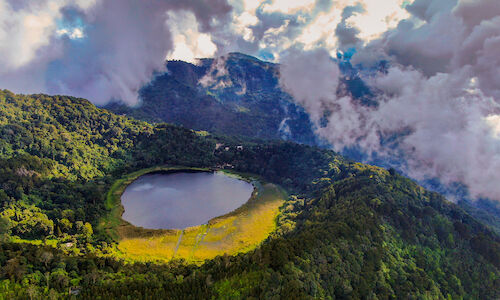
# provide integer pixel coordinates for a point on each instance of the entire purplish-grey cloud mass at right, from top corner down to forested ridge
(437, 104)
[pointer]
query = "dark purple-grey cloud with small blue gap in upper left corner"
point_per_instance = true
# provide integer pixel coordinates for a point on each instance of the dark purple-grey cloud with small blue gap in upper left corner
(98, 49)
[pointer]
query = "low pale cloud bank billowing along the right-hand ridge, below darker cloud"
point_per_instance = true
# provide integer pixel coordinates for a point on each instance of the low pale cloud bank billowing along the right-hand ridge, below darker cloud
(451, 128)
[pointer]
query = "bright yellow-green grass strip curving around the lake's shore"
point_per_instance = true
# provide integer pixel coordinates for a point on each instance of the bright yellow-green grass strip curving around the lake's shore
(239, 231)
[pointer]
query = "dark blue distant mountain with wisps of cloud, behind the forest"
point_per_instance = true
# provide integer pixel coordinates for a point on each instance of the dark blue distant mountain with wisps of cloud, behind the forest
(235, 95)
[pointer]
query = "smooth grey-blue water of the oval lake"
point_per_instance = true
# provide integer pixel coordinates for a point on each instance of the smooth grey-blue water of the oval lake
(180, 200)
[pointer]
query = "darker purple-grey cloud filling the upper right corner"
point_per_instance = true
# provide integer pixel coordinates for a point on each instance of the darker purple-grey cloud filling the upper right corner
(444, 36)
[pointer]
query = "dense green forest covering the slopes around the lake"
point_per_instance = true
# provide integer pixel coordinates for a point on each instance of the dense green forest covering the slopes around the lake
(348, 230)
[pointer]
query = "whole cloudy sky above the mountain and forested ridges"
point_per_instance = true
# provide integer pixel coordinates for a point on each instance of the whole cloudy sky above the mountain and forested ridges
(437, 97)
